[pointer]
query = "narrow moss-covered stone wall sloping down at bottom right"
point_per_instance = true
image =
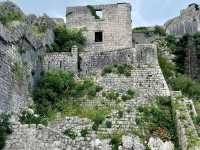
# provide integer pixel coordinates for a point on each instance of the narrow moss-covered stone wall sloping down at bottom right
(186, 131)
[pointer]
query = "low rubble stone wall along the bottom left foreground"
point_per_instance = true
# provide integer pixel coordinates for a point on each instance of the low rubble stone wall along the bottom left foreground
(25, 137)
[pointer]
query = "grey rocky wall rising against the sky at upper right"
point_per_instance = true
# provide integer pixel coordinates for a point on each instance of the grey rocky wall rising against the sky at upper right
(187, 22)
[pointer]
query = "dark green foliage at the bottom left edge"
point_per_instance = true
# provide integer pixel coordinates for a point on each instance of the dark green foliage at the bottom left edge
(5, 129)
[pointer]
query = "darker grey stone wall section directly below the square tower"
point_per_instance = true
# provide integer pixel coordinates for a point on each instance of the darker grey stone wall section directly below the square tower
(93, 61)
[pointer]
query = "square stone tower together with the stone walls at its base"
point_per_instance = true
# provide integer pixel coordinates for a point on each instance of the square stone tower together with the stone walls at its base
(109, 41)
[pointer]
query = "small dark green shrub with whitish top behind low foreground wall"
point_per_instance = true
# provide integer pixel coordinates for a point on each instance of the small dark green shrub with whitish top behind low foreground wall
(28, 117)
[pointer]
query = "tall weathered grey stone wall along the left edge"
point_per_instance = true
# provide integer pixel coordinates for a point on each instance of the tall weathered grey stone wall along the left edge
(19, 46)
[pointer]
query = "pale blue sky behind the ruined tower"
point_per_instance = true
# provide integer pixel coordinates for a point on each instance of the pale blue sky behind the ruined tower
(144, 12)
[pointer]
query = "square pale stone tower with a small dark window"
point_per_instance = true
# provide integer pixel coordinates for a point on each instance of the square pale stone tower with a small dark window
(115, 25)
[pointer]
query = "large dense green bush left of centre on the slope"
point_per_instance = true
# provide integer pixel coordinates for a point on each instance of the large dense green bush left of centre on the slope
(57, 89)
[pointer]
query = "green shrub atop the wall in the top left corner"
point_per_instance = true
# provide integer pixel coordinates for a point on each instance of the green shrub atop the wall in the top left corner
(7, 15)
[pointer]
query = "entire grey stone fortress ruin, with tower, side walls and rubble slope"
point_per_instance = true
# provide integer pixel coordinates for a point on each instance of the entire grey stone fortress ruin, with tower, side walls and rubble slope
(110, 41)
